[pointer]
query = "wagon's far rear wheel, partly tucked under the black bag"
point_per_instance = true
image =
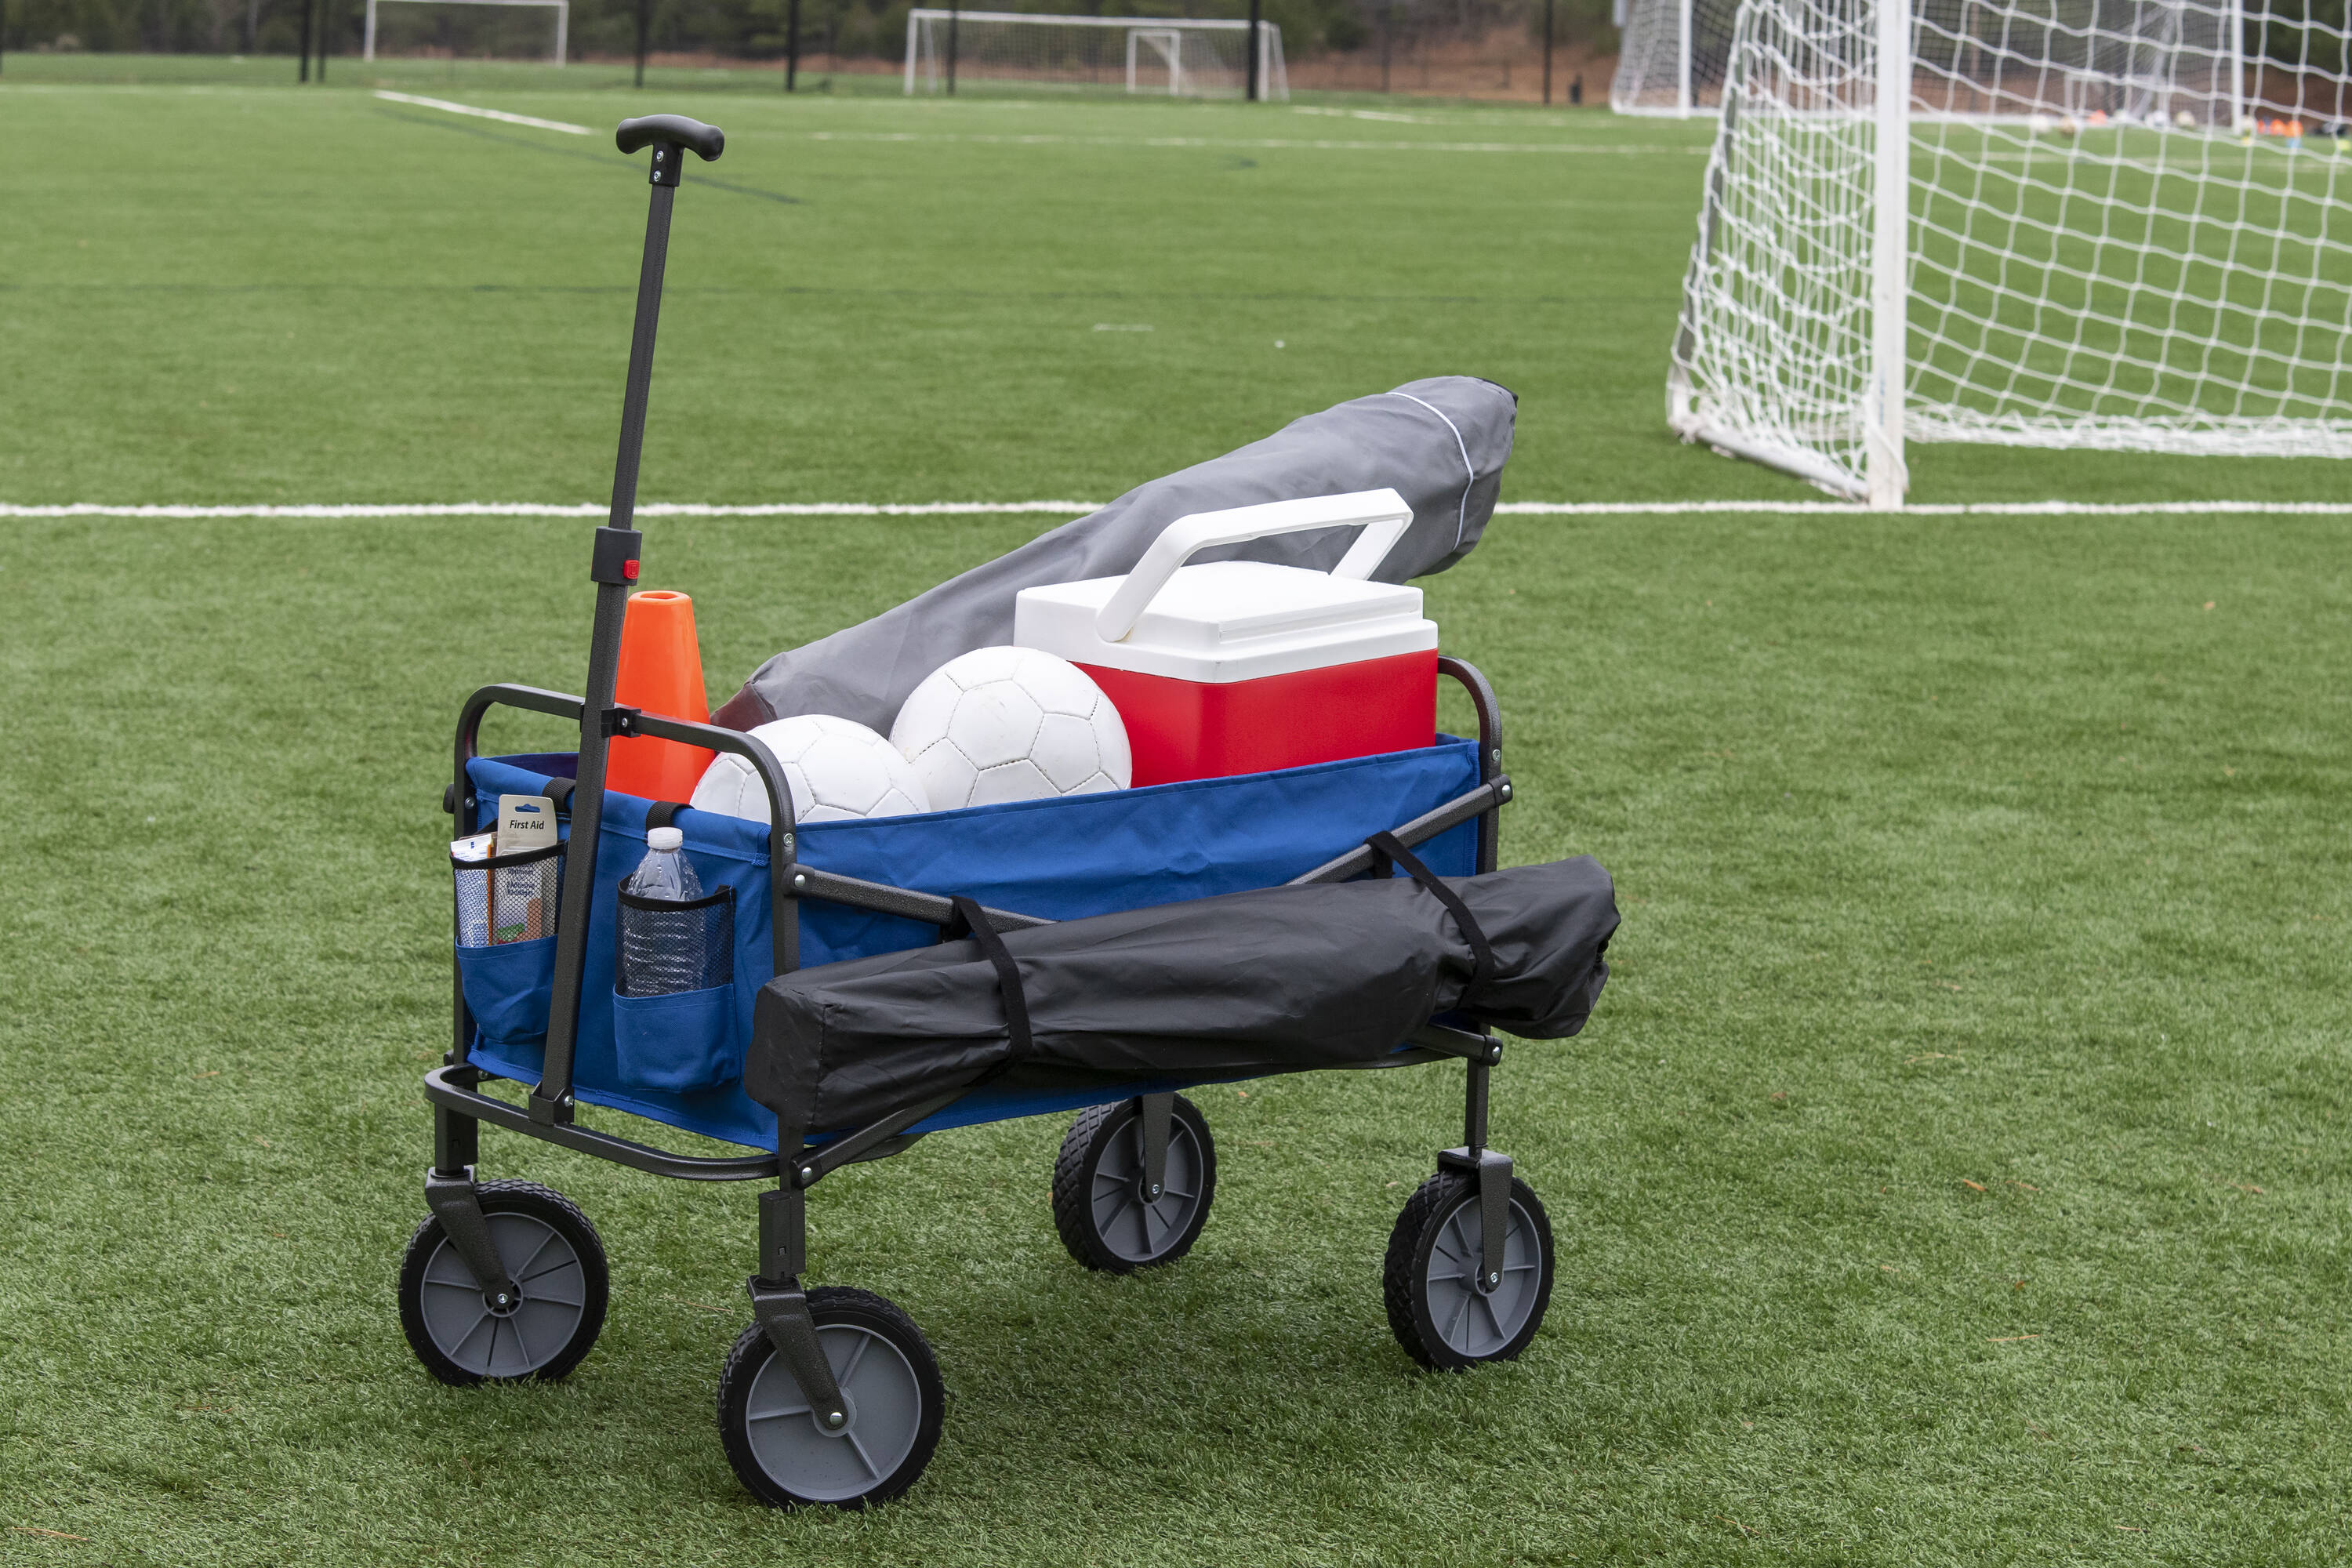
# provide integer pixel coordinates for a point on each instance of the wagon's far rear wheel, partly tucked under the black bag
(1093, 1207)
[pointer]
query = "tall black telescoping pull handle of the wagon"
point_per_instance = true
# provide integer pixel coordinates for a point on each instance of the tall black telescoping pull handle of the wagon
(615, 570)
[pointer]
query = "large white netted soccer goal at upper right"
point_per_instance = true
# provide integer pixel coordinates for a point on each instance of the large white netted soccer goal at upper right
(2113, 225)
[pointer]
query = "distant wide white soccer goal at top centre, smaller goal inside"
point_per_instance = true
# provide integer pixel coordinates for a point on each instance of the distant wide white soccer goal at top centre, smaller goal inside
(1144, 55)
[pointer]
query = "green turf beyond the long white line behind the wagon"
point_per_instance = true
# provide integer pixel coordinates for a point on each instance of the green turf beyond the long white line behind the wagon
(279, 295)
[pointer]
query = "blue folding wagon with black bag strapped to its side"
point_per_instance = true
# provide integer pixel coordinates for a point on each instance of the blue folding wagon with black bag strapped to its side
(831, 1395)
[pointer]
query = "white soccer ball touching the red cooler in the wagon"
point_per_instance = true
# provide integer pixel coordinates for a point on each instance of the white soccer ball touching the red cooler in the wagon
(1013, 725)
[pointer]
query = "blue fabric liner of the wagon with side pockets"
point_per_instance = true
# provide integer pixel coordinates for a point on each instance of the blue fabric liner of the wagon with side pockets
(679, 1059)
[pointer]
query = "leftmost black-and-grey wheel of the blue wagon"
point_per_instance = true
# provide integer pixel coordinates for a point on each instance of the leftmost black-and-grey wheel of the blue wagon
(566, 1301)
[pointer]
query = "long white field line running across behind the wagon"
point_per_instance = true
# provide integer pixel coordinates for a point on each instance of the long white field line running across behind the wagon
(1081, 509)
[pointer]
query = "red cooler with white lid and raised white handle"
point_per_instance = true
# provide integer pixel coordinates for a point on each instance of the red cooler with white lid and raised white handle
(1248, 666)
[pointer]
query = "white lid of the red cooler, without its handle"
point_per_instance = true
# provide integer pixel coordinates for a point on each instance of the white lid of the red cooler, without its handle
(1229, 622)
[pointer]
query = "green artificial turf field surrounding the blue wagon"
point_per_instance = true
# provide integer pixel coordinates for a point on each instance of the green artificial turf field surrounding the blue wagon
(1953, 1174)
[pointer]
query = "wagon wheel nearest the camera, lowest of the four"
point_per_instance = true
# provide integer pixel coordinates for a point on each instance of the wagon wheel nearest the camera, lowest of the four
(801, 1466)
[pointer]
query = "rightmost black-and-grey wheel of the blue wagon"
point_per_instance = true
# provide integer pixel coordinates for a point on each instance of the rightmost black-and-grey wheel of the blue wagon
(1438, 1322)
